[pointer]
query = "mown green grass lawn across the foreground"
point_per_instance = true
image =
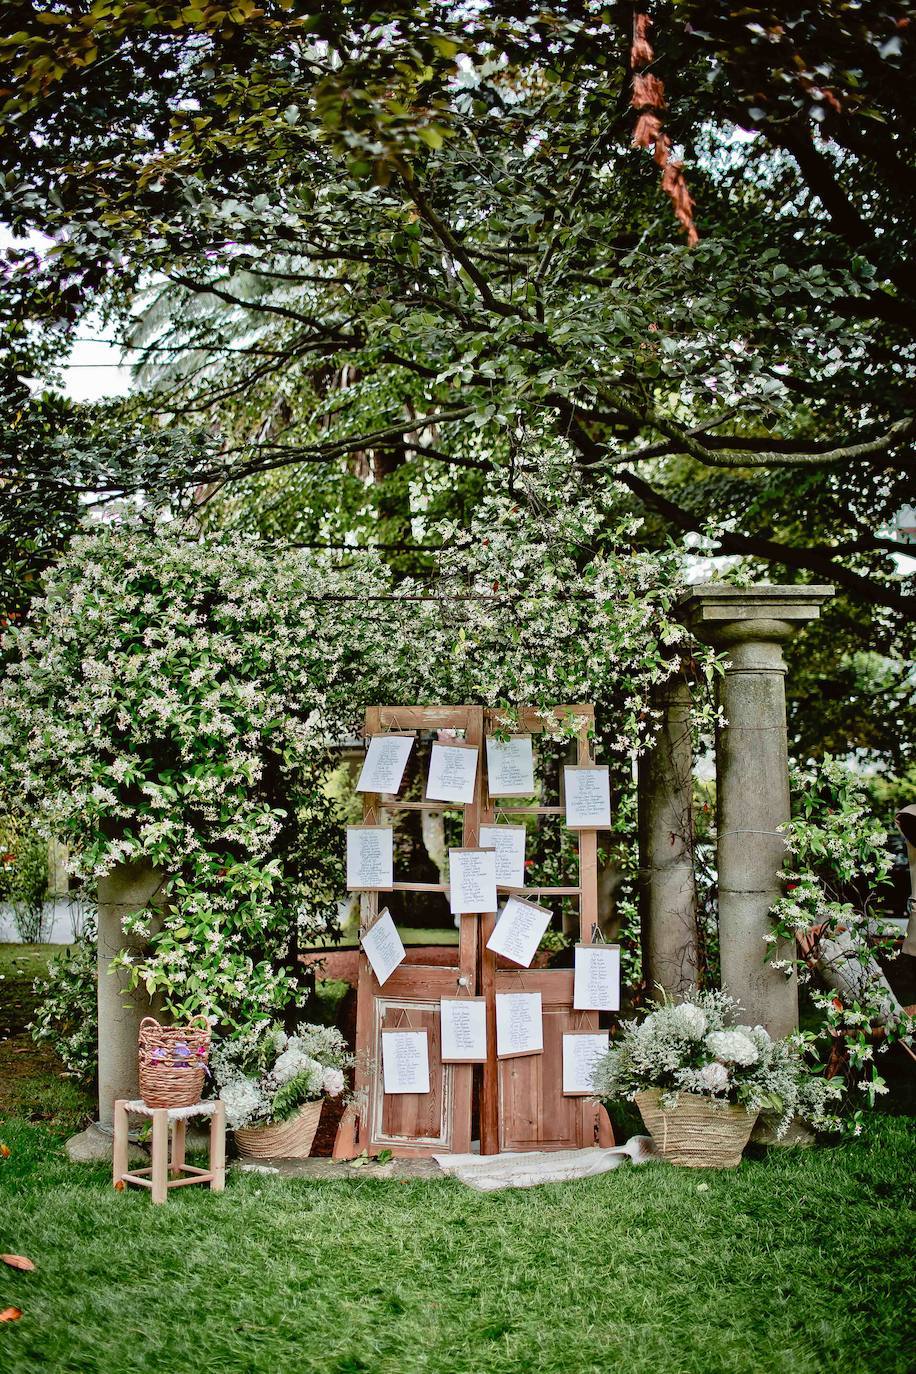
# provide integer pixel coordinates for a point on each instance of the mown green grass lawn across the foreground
(799, 1262)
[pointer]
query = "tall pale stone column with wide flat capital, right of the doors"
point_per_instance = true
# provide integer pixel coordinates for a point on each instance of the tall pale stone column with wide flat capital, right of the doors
(752, 759)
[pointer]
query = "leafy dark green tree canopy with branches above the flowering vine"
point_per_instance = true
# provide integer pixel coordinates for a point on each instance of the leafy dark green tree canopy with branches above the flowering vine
(376, 263)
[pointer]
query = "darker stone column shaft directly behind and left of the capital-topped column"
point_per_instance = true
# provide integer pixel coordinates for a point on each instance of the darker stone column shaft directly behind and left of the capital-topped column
(668, 891)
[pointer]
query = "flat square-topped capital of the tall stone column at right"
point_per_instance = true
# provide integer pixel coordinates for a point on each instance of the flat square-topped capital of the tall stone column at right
(752, 623)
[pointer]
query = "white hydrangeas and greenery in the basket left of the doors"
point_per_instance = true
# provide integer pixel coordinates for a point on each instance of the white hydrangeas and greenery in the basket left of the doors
(267, 1075)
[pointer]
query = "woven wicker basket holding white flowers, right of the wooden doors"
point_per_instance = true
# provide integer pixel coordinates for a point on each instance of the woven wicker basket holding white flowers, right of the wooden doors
(697, 1134)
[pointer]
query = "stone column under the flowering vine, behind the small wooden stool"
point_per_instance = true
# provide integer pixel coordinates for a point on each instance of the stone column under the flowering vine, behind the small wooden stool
(122, 1009)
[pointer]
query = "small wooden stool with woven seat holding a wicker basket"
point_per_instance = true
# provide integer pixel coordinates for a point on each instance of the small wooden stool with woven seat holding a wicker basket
(165, 1174)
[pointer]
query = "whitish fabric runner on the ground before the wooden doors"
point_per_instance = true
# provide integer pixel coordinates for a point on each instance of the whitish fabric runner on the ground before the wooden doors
(524, 1170)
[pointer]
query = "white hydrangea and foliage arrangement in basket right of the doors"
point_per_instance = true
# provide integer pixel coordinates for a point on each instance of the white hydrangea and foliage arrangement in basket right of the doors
(694, 1046)
